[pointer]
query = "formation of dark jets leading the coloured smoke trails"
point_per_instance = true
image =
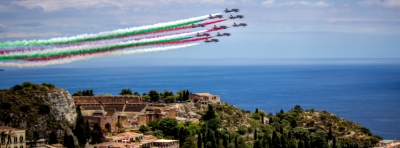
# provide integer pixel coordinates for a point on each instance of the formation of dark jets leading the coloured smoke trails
(220, 27)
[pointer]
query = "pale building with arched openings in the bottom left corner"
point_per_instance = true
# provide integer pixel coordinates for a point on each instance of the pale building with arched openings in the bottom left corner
(16, 140)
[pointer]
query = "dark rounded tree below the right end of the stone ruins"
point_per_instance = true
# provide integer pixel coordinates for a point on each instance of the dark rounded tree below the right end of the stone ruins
(169, 126)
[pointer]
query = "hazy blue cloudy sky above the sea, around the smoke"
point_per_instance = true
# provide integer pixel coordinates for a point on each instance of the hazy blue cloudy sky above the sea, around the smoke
(277, 29)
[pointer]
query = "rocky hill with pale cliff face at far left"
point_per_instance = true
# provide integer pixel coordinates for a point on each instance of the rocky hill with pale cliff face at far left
(39, 109)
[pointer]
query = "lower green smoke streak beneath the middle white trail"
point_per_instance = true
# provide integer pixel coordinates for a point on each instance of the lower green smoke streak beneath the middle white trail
(97, 49)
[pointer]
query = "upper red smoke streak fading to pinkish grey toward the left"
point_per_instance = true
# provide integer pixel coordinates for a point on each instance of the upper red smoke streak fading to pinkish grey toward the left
(112, 40)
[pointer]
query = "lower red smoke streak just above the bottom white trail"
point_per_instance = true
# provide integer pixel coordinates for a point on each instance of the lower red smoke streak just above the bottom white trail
(99, 52)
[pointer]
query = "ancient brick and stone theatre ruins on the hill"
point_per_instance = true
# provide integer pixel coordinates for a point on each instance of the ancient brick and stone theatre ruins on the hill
(130, 111)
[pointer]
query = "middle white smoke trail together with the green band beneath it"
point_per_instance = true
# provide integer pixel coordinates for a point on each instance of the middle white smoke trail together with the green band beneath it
(96, 48)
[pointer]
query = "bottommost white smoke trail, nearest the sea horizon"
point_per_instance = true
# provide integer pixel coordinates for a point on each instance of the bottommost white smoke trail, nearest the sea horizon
(63, 61)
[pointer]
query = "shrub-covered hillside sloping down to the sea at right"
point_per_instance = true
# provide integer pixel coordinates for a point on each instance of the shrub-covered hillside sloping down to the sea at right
(294, 124)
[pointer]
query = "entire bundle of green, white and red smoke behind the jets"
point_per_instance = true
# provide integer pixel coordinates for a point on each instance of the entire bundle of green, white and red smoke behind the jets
(118, 42)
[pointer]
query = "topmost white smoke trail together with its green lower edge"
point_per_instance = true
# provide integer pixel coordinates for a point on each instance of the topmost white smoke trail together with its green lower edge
(106, 35)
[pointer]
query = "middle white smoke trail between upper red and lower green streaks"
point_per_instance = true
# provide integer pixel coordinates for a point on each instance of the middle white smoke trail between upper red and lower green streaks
(91, 46)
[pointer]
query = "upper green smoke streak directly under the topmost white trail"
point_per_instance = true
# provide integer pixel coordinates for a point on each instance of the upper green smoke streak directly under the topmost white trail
(100, 37)
